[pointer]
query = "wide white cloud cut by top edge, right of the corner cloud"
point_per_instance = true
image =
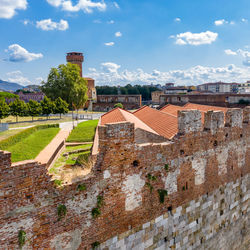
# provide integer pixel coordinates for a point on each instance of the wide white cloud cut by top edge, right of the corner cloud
(85, 5)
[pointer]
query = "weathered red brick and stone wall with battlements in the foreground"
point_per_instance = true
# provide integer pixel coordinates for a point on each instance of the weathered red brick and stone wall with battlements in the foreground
(206, 175)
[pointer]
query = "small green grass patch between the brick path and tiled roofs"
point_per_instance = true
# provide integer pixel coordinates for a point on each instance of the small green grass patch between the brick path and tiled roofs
(84, 132)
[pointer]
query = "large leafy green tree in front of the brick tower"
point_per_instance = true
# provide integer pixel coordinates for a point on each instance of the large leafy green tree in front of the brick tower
(64, 82)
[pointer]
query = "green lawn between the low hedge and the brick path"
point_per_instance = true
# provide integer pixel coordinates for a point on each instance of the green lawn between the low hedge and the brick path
(32, 145)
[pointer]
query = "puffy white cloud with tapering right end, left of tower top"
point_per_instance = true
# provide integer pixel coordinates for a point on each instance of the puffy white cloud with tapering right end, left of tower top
(20, 54)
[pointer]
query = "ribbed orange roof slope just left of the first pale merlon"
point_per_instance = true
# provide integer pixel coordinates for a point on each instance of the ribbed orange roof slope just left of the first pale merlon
(164, 124)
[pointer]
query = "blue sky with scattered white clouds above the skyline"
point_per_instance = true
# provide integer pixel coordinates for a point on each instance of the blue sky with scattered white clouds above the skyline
(125, 41)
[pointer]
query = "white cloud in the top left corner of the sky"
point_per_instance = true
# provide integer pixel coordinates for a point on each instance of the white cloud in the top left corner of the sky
(8, 7)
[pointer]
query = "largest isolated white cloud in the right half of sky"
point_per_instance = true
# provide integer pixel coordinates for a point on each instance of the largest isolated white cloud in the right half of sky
(196, 39)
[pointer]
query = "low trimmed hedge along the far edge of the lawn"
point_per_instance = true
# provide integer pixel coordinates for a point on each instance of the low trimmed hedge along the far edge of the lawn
(12, 140)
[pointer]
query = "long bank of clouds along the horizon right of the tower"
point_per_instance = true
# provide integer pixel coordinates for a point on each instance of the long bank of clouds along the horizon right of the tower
(110, 73)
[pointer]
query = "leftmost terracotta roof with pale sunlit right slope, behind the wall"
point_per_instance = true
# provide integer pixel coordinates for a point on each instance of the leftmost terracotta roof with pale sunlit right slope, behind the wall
(121, 115)
